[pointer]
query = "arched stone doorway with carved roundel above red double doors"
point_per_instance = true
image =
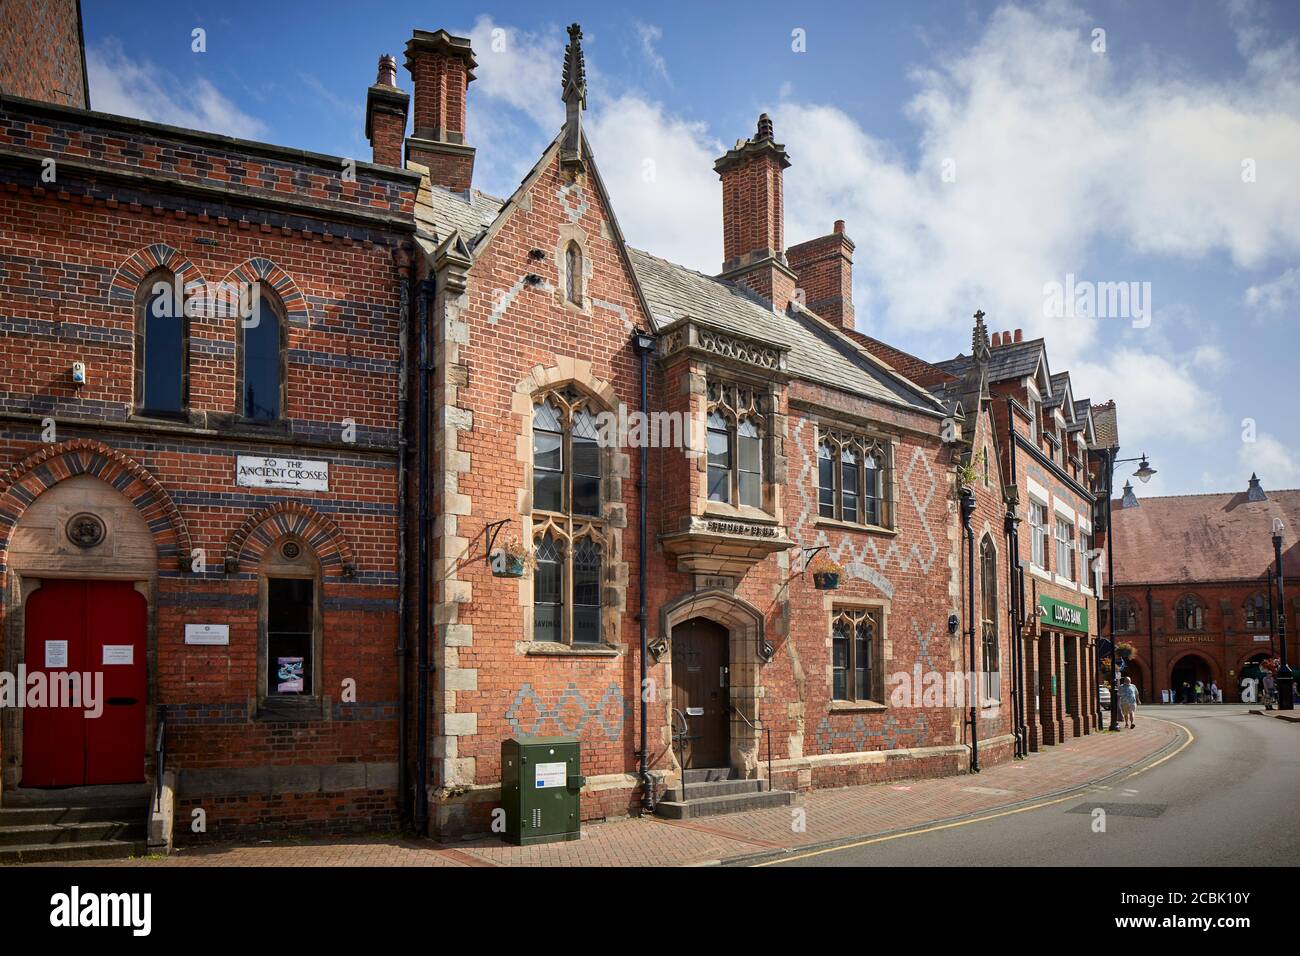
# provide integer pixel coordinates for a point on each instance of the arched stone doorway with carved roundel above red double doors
(92, 552)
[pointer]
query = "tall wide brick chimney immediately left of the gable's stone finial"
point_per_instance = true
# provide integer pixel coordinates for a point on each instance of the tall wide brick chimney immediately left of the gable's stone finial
(441, 67)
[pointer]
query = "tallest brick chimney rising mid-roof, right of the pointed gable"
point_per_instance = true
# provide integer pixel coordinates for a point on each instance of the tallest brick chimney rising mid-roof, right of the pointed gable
(755, 217)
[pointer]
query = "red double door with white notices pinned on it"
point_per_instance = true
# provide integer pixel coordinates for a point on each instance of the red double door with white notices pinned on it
(97, 630)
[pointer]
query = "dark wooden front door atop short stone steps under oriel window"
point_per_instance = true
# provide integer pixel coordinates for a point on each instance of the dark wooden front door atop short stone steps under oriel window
(701, 691)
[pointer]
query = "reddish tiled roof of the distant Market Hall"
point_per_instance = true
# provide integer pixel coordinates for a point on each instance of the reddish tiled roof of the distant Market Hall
(1204, 538)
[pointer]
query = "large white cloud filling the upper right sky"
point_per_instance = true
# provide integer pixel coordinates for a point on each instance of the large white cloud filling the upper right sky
(1056, 152)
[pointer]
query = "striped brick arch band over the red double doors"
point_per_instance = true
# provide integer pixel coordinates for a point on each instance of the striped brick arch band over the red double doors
(25, 482)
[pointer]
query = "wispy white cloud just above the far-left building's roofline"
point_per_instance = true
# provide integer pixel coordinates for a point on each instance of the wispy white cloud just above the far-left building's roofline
(131, 86)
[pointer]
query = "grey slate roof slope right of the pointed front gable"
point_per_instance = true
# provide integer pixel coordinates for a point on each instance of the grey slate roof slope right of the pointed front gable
(816, 352)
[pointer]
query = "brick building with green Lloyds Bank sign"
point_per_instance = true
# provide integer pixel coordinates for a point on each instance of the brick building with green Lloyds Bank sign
(1046, 443)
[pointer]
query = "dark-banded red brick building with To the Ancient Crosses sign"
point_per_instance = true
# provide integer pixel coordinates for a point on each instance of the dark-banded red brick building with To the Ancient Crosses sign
(201, 345)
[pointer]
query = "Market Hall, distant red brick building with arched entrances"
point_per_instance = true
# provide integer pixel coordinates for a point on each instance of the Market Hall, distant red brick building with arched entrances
(1194, 589)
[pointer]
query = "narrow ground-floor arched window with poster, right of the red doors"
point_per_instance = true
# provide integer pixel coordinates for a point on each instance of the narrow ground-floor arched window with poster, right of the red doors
(289, 629)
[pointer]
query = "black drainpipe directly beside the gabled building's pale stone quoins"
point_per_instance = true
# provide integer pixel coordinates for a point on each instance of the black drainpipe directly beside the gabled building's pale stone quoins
(422, 795)
